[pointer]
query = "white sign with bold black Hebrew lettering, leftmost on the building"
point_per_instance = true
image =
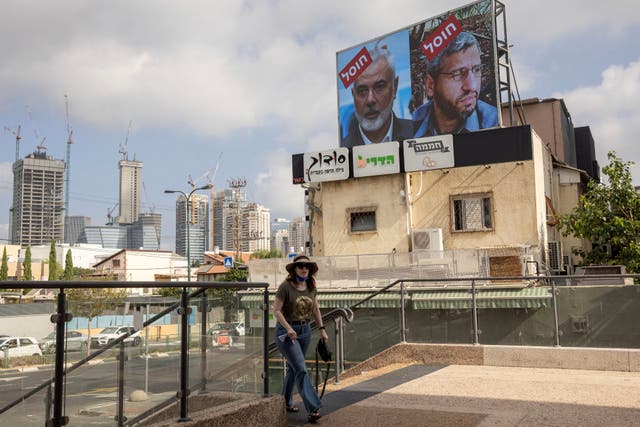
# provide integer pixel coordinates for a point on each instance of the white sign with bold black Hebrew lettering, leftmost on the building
(329, 165)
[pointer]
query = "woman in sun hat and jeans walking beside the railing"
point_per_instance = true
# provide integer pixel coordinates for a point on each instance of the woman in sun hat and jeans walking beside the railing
(294, 306)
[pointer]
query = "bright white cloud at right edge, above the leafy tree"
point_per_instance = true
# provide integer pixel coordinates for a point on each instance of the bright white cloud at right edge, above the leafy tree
(611, 110)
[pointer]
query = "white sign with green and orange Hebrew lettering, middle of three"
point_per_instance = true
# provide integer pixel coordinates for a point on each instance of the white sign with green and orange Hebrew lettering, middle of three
(376, 159)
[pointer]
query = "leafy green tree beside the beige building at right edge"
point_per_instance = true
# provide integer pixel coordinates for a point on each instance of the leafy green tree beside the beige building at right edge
(609, 216)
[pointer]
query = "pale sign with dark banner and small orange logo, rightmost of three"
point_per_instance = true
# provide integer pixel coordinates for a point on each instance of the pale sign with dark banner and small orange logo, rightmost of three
(434, 152)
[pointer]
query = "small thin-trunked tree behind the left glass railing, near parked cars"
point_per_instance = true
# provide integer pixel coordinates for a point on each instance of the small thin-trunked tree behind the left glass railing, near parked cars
(92, 302)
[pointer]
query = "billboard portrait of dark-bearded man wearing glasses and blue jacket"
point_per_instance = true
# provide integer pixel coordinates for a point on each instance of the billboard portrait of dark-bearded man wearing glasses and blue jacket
(453, 85)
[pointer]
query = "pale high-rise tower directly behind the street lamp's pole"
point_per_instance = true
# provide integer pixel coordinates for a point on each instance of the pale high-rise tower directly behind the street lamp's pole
(196, 212)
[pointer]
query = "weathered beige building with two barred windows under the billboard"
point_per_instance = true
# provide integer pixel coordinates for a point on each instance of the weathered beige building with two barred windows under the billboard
(502, 199)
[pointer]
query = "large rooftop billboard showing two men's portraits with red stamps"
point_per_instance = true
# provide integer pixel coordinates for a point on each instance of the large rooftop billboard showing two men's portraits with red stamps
(436, 77)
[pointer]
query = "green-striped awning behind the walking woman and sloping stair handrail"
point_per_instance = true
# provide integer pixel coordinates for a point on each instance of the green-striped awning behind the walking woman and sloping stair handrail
(334, 300)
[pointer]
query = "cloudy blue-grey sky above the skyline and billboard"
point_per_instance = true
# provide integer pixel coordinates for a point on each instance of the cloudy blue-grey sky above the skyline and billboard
(253, 82)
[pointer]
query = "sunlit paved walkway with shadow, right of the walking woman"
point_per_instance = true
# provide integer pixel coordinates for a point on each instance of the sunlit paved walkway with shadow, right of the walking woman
(457, 395)
